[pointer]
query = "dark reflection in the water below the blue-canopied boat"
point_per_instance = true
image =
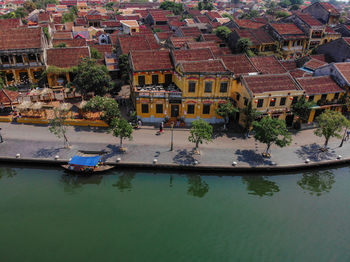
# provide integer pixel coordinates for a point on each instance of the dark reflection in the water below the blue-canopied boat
(74, 183)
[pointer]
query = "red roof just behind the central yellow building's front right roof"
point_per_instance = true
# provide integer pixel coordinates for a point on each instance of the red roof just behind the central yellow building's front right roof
(192, 55)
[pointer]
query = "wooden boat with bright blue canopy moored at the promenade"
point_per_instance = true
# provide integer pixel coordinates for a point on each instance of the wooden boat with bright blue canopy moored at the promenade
(86, 164)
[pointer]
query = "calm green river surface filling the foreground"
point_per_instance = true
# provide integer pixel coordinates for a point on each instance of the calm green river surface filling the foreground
(47, 215)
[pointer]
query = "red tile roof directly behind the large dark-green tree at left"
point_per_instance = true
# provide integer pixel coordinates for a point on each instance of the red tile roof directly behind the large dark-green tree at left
(66, 57)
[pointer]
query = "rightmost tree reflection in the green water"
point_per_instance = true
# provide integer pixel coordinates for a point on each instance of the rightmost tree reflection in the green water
(317, 182)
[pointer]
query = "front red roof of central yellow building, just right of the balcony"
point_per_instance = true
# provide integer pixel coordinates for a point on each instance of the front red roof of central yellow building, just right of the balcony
(205, 66)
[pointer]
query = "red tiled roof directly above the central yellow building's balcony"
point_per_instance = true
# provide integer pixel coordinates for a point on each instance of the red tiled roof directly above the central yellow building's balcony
(151, 60)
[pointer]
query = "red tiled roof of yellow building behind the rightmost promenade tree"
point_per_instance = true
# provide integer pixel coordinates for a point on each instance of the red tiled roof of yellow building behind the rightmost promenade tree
(319, 85)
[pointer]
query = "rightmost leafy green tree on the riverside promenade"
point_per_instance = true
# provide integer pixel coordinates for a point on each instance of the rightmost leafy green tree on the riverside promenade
(330, 124)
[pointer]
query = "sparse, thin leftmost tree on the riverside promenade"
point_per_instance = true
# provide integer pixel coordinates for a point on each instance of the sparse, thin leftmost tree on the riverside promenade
(58, 127)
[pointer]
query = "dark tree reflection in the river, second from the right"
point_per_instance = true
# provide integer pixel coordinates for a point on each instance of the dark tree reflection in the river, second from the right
(260, 186)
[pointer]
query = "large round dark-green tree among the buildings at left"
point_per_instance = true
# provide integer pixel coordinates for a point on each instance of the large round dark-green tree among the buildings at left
(91, 77)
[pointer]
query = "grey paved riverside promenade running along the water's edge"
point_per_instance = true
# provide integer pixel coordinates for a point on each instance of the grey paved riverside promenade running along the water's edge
(36, 142)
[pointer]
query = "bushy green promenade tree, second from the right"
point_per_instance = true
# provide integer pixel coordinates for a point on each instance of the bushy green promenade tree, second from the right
(272, 131)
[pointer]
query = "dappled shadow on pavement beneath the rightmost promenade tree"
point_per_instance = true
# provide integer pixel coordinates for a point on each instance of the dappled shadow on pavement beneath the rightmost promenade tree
(314, 153)
